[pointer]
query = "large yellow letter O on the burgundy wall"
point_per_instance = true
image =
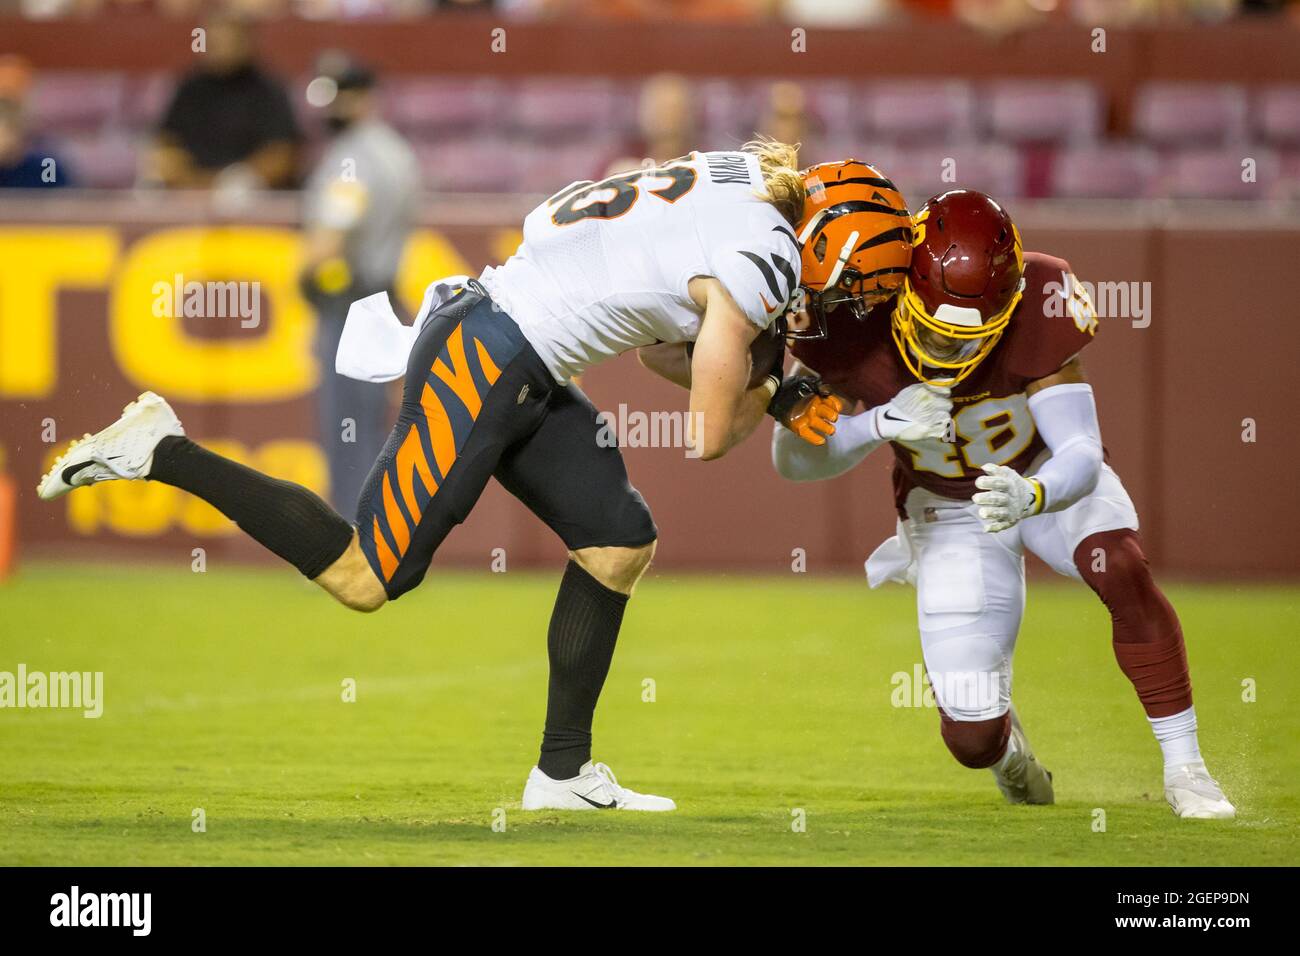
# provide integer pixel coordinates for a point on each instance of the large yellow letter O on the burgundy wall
(270, 362)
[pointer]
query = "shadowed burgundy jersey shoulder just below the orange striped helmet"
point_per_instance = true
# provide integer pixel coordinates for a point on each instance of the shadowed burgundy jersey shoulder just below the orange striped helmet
(857, 358)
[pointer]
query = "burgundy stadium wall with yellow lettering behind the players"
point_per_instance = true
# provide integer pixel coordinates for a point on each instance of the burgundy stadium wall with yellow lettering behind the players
(1197, 365)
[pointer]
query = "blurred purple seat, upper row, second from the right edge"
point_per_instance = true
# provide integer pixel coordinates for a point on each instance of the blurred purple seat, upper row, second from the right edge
(1190, 114)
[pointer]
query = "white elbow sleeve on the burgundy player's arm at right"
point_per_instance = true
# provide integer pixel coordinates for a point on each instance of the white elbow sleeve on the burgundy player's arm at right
(1067, 418)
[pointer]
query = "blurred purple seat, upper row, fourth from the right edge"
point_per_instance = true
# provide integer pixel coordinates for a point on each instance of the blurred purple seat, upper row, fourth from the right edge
(935, 111)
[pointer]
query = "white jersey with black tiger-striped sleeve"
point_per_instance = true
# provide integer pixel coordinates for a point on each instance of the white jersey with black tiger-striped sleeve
(605, 267)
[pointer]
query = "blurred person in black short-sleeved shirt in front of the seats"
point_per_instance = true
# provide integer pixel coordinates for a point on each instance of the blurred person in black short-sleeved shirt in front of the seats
(229, 120)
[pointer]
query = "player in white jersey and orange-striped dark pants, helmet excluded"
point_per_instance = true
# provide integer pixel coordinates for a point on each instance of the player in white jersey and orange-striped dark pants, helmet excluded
(700, 250)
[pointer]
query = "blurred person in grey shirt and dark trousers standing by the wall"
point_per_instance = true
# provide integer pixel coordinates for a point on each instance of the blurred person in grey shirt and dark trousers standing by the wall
(359, 204)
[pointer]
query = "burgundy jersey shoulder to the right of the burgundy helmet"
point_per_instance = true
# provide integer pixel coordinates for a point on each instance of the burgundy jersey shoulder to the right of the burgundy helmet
(1054, 322)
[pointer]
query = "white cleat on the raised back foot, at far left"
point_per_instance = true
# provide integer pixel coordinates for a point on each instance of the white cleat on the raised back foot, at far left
(123, 451)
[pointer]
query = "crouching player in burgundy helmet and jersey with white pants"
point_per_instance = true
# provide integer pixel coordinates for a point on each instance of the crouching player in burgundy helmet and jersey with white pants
(973, 377)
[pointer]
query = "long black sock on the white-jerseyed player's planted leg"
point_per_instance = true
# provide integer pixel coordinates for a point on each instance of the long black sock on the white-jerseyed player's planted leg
(580, 644)
